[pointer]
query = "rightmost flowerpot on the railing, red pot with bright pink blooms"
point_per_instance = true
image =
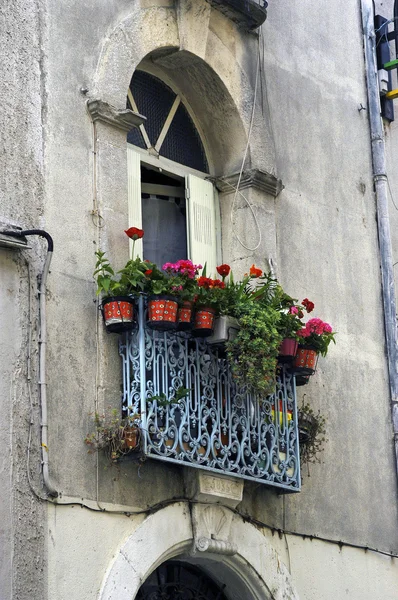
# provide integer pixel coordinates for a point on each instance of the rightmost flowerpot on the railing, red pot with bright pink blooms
(314, 338)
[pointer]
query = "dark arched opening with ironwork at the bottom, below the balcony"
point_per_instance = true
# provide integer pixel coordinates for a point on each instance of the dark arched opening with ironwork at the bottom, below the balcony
(175, 580)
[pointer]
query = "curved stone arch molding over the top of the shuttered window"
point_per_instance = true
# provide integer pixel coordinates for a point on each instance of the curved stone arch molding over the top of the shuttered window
(177, 38)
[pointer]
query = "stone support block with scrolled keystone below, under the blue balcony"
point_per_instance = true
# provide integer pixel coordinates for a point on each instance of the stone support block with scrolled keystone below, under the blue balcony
(211, 522)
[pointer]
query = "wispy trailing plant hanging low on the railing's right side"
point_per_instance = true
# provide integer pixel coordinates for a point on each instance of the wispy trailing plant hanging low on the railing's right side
(312, 434)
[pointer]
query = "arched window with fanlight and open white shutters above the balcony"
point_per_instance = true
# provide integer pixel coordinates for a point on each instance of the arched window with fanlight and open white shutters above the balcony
(169, 196)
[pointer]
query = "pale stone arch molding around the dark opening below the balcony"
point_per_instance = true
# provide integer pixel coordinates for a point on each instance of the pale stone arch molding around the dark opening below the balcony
(169, 534)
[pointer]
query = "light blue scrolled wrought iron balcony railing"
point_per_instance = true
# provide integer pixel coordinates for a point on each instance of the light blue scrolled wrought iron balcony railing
(215, 426)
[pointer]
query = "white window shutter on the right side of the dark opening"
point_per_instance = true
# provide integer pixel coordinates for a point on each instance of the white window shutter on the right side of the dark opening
(202, 223)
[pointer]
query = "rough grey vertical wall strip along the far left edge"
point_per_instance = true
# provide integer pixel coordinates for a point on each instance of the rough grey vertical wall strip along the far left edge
(22, 101)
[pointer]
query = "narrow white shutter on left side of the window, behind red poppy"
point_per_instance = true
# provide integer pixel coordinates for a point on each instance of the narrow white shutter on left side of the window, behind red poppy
(134, 196)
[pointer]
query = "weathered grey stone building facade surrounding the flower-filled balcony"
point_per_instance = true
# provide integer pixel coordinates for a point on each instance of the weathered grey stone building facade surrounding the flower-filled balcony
(282, 108)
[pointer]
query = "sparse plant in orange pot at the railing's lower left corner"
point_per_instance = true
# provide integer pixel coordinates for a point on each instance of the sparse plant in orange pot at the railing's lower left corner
(117, 436)
